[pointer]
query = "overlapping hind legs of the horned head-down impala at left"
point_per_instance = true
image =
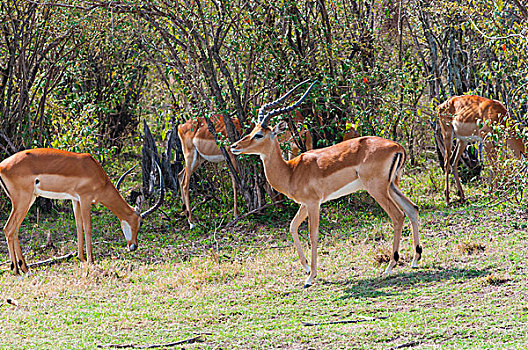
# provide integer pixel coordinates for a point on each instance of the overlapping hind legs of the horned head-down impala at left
(11, 229)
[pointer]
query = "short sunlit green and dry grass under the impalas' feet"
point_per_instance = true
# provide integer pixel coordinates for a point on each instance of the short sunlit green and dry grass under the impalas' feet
(242, 287)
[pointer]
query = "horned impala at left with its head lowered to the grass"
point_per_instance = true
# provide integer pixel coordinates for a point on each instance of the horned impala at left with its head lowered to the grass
(57, 174)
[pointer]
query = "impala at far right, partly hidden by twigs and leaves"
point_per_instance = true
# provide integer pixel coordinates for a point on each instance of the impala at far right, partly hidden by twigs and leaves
(471, 118)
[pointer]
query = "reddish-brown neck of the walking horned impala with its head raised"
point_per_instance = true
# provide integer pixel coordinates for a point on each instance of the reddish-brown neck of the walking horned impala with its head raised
(277, 170)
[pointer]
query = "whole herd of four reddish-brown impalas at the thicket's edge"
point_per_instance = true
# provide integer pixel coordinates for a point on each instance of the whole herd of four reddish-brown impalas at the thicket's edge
(310, 179)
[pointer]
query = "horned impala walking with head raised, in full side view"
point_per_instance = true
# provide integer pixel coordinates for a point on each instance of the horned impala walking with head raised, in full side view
(317, 176)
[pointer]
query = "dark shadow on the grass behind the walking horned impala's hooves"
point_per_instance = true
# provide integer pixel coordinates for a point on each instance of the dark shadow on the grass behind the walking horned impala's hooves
(393, 285)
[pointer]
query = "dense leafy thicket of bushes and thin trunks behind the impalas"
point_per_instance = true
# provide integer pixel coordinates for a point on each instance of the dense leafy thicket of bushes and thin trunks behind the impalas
(80, 74)
